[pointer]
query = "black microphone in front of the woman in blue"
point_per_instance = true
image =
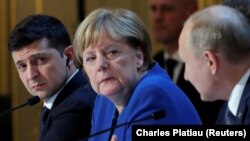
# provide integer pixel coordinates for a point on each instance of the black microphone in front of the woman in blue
(155, 115)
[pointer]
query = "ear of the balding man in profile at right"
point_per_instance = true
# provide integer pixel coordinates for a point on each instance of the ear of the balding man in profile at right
(212, 61)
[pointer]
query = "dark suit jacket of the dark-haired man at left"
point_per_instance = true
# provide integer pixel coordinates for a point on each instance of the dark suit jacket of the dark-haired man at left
(70, 116)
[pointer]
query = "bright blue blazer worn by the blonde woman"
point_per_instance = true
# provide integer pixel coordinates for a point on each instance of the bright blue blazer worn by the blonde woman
(155, 91)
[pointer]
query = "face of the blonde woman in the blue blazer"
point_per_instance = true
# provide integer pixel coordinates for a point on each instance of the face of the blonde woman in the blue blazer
(112, 67)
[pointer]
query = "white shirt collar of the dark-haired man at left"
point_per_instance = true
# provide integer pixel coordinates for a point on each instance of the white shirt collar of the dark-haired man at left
(49, 102)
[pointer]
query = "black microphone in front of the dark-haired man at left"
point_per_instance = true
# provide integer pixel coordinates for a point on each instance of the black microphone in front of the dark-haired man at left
(31, 101)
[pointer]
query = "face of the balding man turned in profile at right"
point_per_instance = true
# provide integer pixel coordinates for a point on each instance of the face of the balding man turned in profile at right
(197, 69)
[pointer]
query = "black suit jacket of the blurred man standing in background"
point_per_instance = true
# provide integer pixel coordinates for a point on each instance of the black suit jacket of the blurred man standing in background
(208, 111)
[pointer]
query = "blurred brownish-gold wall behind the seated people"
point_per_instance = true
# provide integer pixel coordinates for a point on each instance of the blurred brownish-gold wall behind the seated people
(22, 125)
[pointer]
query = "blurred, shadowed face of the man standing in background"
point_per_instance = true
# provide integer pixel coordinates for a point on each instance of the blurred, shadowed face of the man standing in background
(167, 19)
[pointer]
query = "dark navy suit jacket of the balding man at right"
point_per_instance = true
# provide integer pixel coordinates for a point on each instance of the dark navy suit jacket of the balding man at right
(243, 113)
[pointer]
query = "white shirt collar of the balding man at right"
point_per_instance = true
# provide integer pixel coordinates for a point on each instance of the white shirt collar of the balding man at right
(235, 96)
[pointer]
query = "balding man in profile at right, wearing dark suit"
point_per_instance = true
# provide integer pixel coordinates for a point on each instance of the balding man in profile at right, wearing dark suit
(216, 52)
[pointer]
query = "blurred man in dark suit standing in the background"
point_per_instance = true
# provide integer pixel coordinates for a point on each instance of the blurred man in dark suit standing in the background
(168, 17)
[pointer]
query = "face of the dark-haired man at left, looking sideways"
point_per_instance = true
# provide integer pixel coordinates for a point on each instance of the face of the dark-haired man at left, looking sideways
(41, 69)
